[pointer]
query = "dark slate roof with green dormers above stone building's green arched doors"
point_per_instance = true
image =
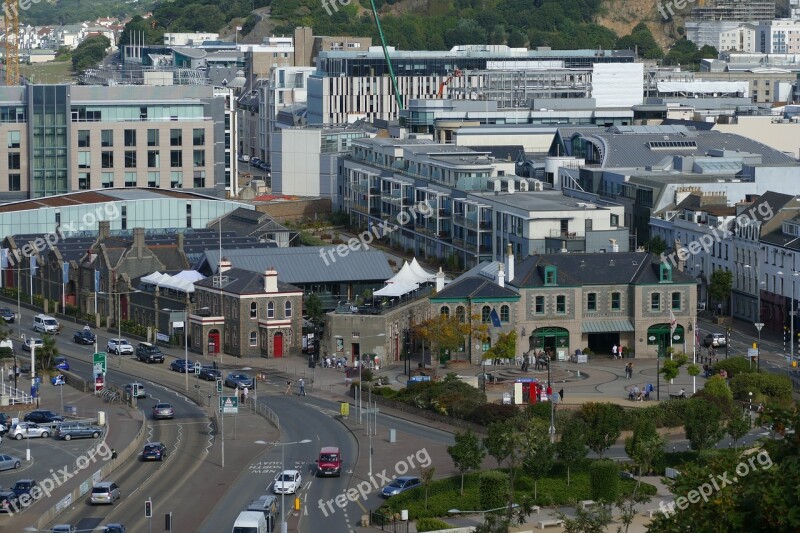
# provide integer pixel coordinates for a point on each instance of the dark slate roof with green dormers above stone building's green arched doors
(624, 268)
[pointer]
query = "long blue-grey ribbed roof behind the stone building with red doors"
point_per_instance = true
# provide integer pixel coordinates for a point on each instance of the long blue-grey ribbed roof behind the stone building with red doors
(307, 264)
